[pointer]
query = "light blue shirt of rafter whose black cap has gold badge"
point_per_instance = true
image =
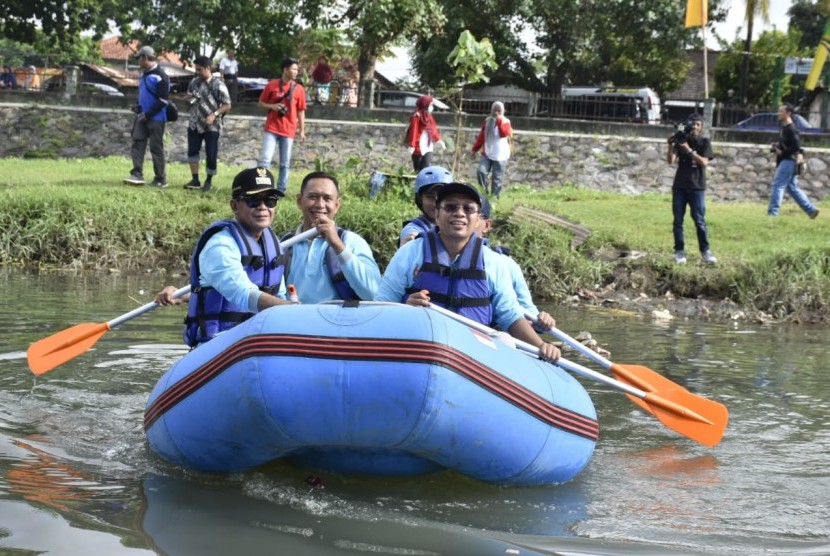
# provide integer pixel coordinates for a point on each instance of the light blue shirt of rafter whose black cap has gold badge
(221, 268)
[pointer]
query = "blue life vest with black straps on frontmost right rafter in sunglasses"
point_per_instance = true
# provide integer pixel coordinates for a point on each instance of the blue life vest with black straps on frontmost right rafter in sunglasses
(462, 289)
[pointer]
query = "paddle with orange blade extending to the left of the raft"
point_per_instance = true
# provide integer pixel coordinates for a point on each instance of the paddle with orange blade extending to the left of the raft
(55, 350)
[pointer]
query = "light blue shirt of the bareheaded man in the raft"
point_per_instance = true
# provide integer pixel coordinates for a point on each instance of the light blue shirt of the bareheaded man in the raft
(310, 275)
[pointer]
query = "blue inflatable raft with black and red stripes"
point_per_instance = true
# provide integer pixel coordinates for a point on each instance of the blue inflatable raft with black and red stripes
(372, 389)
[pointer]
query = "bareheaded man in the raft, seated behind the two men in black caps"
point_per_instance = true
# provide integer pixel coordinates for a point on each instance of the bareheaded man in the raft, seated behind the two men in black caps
(338, 264)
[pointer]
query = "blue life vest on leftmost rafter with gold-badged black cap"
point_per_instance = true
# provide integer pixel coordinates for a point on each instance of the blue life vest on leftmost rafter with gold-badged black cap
(208, 312)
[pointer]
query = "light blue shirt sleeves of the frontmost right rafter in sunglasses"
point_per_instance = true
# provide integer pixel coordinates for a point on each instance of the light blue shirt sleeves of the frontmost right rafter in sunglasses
(400, 275)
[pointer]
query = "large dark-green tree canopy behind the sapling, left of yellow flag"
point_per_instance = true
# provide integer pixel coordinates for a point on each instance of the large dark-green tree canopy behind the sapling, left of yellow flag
(584, 42)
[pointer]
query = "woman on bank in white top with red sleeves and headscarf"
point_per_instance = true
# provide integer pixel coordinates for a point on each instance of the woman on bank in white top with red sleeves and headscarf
(494, 140)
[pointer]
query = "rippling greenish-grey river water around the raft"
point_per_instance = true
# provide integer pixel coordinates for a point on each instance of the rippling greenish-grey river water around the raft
(77, 477)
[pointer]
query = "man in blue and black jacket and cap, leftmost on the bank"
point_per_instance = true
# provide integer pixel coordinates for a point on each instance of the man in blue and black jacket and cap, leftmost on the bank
(150, 120)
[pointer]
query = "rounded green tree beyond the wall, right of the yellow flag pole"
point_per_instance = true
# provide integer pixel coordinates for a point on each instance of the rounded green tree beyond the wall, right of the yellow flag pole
(763, 67)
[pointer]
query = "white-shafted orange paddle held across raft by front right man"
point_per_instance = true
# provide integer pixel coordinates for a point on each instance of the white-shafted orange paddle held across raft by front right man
(689, 414)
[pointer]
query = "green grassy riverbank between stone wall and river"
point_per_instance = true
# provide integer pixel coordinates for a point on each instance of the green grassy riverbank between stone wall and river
(76, 214)
